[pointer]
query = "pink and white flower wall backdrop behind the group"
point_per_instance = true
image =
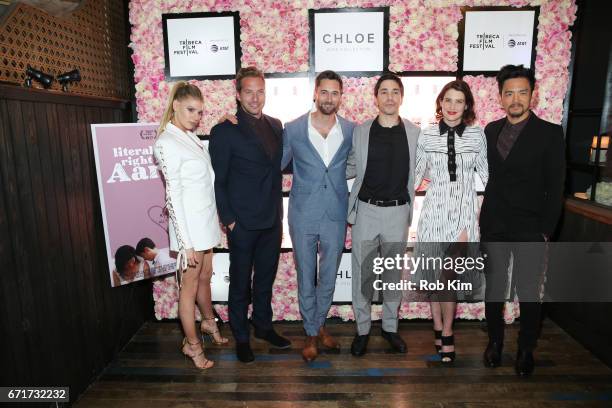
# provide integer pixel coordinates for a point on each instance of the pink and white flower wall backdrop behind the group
(274, 37)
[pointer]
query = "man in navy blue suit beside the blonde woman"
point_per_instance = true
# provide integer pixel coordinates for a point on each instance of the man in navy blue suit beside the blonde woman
(246, 158)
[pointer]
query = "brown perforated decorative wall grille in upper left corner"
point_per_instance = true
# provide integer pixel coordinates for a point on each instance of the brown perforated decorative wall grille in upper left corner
(93, 39)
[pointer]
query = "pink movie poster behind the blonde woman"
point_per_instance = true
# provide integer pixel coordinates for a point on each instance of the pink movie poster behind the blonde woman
(132, 200)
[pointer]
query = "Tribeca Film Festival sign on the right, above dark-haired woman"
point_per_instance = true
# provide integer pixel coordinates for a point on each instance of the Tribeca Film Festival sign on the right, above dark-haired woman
(493, 39)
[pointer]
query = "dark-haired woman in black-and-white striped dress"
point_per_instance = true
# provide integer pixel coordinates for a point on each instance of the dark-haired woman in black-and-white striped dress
(450, 153)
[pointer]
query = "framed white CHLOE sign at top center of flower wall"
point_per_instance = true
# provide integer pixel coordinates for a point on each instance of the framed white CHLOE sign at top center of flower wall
(350, 41)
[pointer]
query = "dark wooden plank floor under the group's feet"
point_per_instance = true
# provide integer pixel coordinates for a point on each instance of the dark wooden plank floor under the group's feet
(150, 372)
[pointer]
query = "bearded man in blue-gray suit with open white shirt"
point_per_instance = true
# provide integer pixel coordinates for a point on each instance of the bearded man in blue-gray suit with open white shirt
(319, 143)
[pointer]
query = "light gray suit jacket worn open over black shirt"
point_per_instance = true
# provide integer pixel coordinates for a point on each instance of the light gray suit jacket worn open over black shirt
(358, 159)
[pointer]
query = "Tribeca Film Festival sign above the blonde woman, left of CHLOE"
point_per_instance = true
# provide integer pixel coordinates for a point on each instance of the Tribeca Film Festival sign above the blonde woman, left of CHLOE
(201, 45)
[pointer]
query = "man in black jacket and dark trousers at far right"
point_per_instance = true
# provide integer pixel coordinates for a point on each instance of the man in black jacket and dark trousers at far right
(522, 204)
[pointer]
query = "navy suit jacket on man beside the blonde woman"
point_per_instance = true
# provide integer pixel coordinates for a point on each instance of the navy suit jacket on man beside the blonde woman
(248, 183)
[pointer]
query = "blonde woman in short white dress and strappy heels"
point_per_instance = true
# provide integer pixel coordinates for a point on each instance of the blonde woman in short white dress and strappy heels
(194, 225)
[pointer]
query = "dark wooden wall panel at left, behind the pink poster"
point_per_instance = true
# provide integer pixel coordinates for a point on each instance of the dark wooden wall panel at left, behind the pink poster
(61, 322)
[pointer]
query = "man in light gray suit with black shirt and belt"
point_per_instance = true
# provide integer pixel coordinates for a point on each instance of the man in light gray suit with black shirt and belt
(382, 161)
